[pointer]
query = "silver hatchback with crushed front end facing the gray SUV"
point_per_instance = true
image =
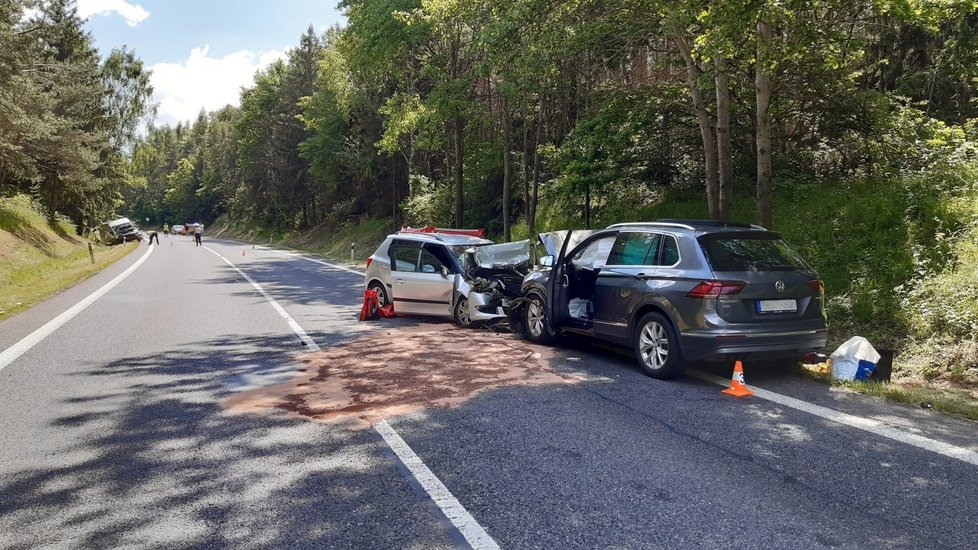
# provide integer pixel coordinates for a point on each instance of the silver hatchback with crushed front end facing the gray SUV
(465, 278)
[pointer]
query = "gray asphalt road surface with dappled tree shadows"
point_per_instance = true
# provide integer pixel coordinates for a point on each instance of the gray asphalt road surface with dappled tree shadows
(112, 435)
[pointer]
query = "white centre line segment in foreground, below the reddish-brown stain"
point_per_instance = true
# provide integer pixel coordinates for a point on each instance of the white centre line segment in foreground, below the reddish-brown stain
(474, 534)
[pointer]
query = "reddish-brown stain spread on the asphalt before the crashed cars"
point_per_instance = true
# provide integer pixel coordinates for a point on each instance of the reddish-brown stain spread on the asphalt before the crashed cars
(401, 370)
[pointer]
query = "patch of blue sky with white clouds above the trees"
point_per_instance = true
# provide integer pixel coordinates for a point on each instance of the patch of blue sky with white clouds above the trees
(203, 52)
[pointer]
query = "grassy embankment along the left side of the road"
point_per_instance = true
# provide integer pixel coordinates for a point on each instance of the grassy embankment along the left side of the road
(40, 257)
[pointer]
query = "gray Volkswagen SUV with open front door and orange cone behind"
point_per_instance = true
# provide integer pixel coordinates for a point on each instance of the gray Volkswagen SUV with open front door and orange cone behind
(677, 291)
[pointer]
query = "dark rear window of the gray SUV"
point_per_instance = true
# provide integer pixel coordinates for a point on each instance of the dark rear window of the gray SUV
(751, 253)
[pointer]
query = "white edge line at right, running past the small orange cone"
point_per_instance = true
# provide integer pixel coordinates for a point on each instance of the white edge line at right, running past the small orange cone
(866, 424)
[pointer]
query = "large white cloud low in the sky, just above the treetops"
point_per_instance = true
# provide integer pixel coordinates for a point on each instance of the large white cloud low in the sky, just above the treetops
(203, 82)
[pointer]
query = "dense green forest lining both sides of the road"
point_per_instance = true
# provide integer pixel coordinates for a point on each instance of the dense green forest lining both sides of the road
(849, 126)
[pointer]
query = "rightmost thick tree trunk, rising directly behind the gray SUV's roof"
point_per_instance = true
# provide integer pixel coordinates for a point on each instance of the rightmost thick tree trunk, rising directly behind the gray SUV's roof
(762, 85)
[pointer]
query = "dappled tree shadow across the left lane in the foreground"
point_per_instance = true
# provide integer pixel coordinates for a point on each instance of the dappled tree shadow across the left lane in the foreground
(150, 460)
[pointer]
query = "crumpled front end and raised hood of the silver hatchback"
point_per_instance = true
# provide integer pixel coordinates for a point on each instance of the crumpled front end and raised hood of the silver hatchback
(491, 278)
